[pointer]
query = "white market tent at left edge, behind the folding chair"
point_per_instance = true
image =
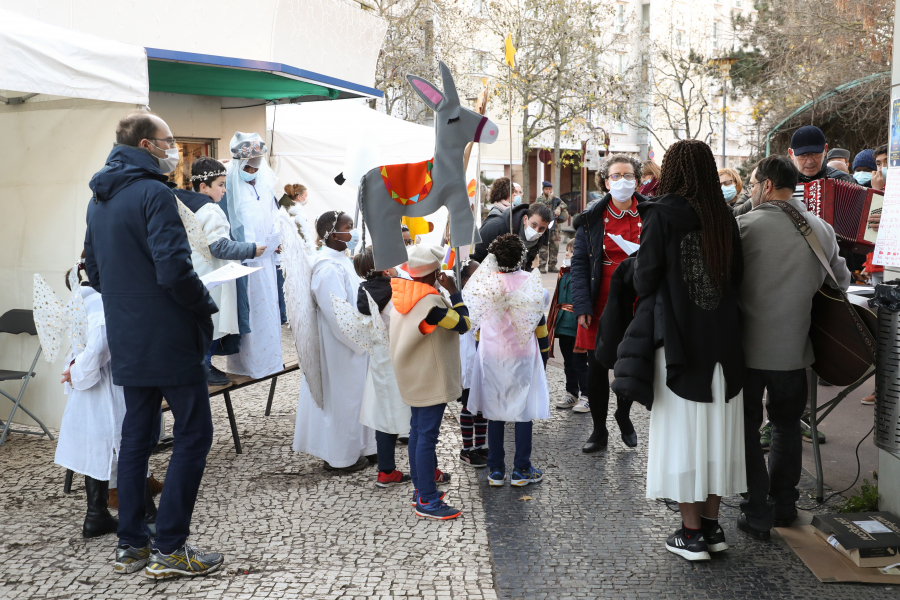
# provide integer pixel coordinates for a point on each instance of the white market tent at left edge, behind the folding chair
(58, 88)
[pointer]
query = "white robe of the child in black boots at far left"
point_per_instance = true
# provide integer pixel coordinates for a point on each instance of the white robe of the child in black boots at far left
(91, 431)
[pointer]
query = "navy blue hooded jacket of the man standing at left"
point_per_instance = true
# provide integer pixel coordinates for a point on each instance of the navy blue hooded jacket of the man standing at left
(138, 257)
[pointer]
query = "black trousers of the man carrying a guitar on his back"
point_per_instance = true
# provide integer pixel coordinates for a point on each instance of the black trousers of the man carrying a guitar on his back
(787, 394)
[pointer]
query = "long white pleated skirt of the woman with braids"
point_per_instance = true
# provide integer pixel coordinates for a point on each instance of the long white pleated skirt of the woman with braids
(696, 448)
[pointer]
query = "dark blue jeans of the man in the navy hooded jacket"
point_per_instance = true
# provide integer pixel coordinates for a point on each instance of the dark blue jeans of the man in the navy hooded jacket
(193, 437)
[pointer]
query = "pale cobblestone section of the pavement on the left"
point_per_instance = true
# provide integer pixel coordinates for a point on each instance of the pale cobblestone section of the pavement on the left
(287, 528)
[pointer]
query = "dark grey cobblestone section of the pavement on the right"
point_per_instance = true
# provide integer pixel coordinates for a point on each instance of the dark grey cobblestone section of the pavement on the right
(588, 531)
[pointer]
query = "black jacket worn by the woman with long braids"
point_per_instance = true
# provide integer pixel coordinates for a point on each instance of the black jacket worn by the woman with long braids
(698, 324)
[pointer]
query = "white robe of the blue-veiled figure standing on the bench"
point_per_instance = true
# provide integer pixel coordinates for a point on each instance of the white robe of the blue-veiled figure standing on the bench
(260, 353)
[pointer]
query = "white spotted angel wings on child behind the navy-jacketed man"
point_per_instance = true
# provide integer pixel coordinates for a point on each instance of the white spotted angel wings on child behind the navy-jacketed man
(53, 319)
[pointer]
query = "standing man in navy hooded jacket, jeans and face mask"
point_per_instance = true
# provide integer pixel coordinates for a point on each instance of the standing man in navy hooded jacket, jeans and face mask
(158, 318)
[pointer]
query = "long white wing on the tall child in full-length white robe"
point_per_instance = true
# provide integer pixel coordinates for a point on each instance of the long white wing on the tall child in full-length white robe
(301, 307)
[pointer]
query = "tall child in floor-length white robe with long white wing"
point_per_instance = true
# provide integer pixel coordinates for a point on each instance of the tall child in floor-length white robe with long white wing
(334, 367)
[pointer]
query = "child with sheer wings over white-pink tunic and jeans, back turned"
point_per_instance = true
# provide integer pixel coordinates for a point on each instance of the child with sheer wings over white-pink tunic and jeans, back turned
(509, 382)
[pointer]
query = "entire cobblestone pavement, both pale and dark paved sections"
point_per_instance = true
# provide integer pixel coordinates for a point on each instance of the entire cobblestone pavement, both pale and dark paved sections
(291, 530)
